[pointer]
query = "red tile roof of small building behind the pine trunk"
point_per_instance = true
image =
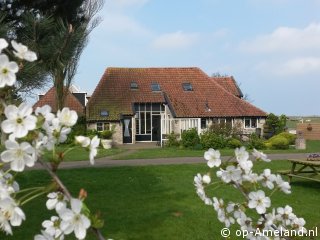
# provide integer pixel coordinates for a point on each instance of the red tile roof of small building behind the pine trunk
(50, 99)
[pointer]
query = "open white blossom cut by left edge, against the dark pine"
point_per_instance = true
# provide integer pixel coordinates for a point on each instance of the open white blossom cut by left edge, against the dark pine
(8, 71)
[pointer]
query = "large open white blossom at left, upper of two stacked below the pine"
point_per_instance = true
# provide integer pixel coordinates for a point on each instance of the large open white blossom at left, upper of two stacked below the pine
(19, 120)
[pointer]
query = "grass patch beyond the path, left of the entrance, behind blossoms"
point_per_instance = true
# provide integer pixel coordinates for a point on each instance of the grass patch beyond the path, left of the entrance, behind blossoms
(82, 154)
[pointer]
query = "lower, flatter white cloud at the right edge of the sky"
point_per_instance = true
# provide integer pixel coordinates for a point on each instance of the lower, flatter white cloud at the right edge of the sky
(292, 67)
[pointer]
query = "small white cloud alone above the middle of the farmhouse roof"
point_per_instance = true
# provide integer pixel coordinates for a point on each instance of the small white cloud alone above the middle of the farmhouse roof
(175, 40)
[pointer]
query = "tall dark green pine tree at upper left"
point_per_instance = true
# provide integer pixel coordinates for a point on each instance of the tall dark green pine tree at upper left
(58, 32)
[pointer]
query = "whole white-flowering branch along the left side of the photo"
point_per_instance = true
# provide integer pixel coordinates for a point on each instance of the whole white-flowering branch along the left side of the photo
(29, 135)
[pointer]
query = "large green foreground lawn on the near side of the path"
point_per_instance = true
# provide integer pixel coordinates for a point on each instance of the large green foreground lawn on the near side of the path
(155, 202)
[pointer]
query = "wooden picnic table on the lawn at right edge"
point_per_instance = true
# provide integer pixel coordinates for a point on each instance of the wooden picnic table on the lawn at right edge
(305, 169)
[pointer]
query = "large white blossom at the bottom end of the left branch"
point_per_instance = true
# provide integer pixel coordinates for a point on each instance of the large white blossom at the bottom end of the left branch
(73, 220)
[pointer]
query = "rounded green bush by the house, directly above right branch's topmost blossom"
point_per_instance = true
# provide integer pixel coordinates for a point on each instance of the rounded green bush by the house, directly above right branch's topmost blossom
(210, 139)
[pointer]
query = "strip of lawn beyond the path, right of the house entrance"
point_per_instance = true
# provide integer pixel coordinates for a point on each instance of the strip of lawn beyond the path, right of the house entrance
(312, 146)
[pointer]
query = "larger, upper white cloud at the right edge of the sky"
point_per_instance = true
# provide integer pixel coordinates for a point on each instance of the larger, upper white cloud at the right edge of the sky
(285, 39)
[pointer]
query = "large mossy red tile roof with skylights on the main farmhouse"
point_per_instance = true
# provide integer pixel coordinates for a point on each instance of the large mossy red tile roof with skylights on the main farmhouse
(113, 94)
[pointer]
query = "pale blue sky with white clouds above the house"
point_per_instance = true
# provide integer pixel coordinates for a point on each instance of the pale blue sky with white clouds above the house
(270, 47)
